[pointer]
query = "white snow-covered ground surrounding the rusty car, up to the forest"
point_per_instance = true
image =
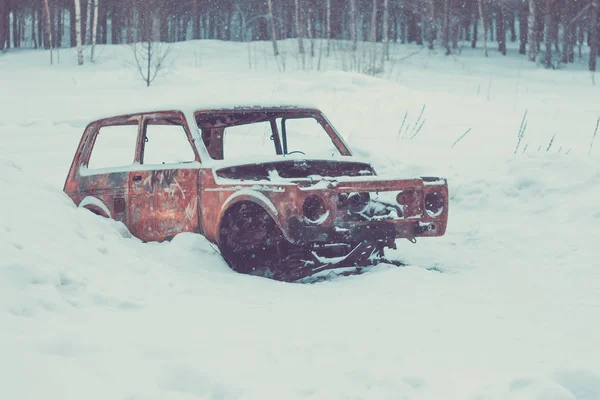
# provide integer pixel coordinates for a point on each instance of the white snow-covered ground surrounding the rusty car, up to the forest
(86, 312)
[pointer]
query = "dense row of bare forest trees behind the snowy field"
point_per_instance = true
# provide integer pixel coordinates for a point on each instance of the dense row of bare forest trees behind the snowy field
(560, 26)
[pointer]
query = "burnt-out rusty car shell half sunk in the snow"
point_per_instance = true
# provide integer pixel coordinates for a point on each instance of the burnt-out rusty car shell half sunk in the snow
(275, 188)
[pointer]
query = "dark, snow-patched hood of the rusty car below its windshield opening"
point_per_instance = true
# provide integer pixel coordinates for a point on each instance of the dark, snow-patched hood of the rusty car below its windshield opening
(295, 169)
